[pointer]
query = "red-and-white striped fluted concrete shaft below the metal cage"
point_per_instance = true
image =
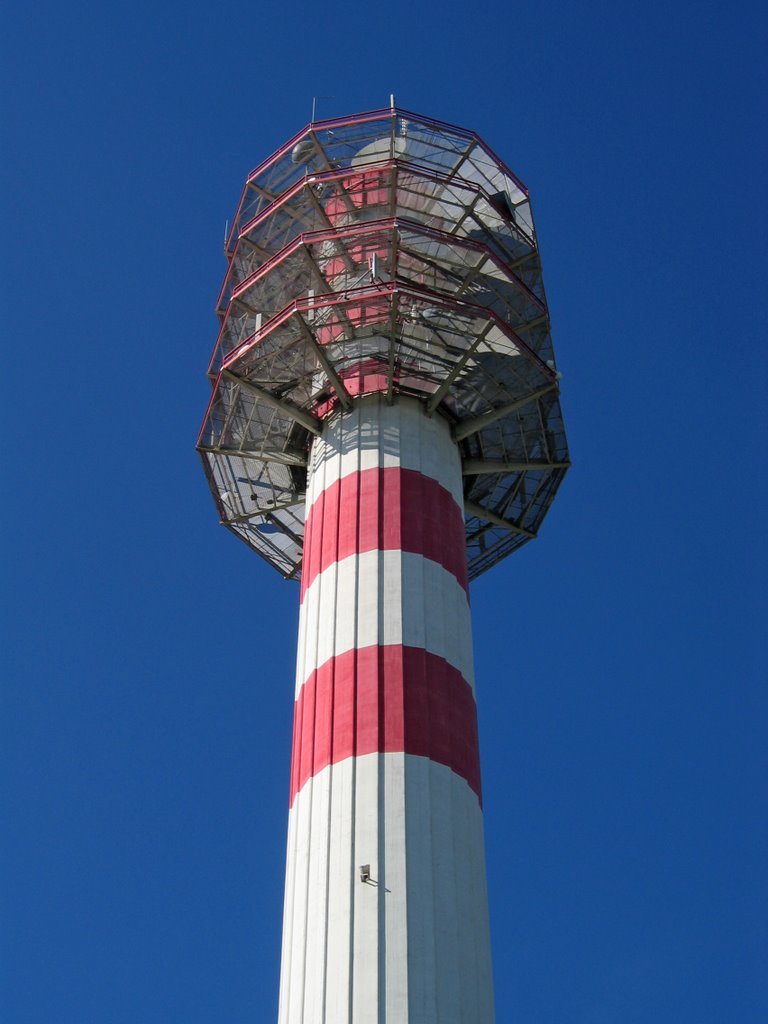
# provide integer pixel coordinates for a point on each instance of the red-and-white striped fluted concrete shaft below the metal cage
(386, 764)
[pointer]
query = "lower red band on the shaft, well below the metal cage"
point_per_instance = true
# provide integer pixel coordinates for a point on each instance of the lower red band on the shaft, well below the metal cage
(386, 700)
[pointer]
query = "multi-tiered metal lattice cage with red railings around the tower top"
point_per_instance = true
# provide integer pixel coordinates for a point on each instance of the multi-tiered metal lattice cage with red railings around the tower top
(383, 253)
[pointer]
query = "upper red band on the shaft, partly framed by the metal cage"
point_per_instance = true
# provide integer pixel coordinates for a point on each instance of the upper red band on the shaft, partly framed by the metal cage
(375, 510)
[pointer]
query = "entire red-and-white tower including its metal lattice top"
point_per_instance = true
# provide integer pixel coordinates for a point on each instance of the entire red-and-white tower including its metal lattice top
(385, 428)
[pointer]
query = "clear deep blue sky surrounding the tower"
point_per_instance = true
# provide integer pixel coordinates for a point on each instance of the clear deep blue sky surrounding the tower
(621, 658)
